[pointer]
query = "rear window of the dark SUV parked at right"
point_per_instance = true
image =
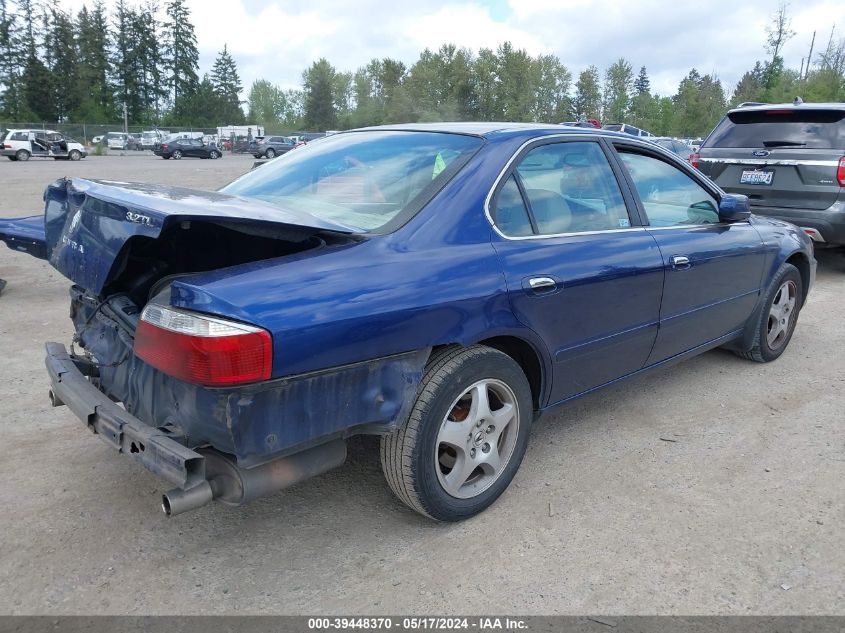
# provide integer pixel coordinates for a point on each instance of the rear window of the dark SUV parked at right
(813, 129)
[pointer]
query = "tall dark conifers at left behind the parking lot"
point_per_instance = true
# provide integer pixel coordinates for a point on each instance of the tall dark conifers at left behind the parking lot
(60, 67)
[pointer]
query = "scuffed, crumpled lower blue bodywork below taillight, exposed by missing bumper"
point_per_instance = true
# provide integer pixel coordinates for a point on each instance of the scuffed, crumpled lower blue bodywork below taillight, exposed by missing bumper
(254, 423)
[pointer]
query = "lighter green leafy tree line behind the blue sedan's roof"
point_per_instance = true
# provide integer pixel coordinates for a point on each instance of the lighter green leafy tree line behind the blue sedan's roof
(508, 84)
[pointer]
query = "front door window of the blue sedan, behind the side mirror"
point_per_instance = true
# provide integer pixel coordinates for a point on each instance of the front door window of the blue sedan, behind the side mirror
(669, 196)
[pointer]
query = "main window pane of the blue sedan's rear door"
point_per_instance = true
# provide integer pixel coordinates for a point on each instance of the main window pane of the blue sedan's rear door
(571, 189)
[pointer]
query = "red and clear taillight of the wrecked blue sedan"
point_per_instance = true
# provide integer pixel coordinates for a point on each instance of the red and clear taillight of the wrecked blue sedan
(203, 350)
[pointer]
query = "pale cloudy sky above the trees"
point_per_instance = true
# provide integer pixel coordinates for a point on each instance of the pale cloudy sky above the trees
(277, 40)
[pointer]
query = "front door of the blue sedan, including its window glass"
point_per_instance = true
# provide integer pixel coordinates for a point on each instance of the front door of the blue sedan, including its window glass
(713, 269)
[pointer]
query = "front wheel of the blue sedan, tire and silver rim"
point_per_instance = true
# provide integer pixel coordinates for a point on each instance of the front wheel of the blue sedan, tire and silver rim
(776, 324)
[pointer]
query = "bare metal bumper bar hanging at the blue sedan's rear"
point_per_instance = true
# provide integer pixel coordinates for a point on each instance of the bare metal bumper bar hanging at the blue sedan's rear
(149, 446)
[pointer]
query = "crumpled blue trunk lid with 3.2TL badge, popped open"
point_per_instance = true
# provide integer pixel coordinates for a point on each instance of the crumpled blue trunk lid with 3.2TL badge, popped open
(96, 231)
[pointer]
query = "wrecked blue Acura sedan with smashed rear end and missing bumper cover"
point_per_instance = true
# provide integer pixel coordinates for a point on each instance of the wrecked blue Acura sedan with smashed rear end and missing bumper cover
(437, 285)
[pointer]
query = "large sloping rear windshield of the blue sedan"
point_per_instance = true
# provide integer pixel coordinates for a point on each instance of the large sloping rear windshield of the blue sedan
(360, 179)
